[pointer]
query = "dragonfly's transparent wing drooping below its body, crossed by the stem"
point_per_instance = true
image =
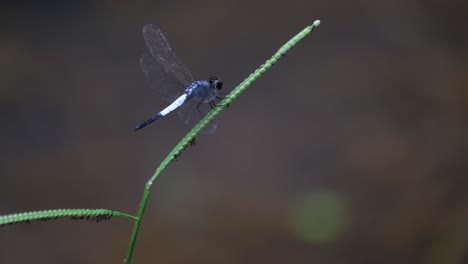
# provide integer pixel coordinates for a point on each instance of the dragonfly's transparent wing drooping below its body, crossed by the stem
(193, 111)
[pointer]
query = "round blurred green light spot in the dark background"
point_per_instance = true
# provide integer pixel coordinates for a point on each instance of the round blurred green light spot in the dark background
(319, 216)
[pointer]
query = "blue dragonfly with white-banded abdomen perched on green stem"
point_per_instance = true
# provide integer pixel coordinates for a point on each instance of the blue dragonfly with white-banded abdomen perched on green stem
(167, 74)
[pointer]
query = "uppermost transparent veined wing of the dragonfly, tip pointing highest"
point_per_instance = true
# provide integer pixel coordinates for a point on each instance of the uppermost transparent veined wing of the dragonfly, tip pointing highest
(162, 53)
